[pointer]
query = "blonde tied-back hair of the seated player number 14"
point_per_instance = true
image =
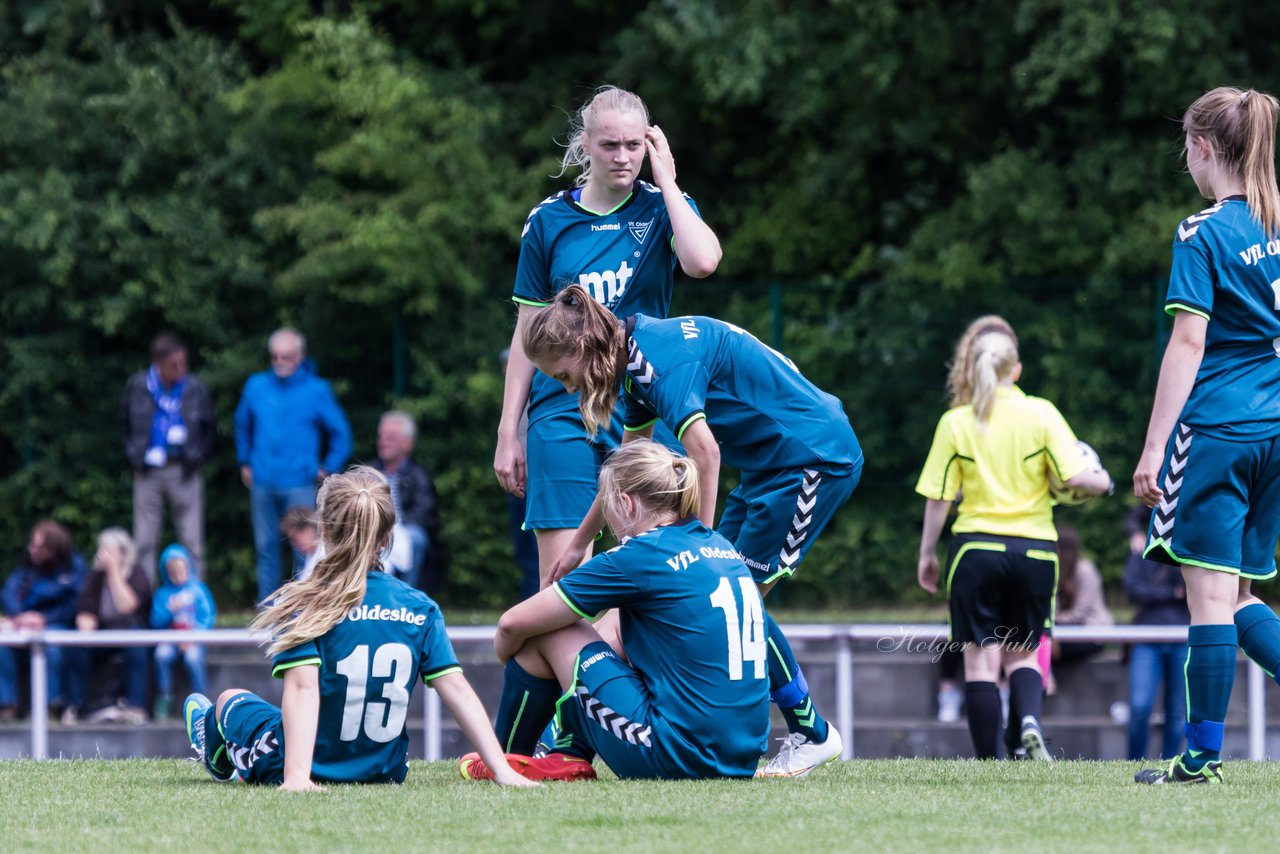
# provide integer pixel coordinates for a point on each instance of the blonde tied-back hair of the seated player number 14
(662, 482)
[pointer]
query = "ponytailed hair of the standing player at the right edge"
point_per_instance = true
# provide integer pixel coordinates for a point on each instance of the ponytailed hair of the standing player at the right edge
(1241, 127)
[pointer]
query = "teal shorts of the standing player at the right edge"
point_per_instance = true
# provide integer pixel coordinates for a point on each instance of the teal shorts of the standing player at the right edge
(1219, 506)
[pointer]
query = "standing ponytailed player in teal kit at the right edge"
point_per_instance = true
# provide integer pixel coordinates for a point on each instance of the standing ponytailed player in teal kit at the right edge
(1212, 462)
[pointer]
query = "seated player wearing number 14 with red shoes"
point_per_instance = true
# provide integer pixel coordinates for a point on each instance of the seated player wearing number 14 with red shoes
(691, 700)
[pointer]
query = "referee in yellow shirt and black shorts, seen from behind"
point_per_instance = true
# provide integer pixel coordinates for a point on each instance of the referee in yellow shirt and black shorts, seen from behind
(994, 454)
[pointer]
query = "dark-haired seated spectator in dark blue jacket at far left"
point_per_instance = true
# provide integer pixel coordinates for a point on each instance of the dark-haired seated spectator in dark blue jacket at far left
(40, 595)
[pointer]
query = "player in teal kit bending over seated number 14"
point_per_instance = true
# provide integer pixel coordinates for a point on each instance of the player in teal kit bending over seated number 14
(728, 398)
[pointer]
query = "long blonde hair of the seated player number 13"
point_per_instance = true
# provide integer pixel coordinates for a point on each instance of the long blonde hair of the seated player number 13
(356, 520)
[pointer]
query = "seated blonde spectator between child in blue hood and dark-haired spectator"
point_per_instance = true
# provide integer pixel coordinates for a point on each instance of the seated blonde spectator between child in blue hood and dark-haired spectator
(116, 596)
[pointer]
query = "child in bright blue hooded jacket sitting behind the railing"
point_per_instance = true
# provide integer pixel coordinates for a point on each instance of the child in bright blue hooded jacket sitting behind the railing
(182, 602)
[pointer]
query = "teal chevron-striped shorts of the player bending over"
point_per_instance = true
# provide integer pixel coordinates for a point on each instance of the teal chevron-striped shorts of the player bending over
(774, 518)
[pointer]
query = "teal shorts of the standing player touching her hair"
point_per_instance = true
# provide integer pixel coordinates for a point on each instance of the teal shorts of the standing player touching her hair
(564, 467)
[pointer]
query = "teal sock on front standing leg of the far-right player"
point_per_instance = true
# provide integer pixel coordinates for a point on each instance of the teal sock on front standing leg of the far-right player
(1210, 673)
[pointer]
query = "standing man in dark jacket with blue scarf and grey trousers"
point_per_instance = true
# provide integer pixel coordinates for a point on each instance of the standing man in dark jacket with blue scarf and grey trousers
(167, 422)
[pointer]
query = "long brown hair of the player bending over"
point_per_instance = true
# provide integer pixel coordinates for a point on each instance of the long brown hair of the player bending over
(579, 327)
